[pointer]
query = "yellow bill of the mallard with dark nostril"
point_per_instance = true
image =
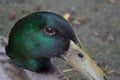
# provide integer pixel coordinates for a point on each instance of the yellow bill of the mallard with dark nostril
(80, 60)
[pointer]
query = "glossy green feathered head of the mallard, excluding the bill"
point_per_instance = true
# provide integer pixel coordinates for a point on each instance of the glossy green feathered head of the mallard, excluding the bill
(37, 37)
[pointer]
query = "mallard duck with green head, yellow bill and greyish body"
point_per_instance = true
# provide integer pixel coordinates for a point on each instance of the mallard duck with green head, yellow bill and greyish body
(37, 38)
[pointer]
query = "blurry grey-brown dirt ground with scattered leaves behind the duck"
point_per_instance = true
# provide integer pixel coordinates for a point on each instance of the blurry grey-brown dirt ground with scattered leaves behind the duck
(96, 22)
